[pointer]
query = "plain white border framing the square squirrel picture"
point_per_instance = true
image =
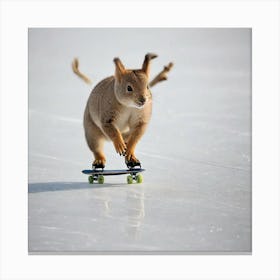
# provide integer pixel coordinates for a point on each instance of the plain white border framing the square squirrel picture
(262, 16)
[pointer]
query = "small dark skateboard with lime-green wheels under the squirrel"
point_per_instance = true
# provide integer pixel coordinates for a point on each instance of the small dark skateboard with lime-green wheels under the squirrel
(97, 175)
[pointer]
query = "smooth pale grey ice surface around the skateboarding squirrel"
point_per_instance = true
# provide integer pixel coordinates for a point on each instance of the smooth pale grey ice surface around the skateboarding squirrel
(196, 195)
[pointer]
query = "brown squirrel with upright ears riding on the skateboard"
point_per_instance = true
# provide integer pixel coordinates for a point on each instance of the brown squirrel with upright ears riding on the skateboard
(119, 109)
